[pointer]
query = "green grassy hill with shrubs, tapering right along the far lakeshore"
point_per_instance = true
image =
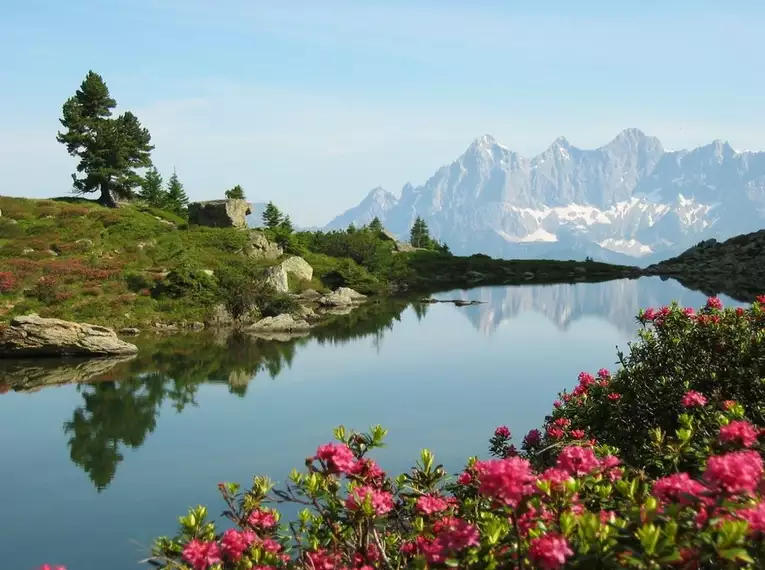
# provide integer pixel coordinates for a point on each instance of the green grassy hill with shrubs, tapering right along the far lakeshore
(134, 265)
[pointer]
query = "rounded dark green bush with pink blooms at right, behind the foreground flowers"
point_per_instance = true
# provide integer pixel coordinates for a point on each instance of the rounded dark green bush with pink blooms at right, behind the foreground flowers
(683, 371)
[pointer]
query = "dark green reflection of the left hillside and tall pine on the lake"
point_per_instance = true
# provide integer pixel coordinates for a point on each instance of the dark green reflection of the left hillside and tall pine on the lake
(122, 400)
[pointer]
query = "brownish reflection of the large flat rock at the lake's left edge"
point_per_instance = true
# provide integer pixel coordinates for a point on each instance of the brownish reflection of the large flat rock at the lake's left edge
(33, 374)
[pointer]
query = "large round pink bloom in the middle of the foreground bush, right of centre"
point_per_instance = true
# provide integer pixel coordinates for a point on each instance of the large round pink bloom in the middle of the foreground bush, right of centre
(506, 481)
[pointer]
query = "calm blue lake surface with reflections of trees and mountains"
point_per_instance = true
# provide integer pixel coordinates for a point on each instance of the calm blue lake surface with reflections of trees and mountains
(91, 473)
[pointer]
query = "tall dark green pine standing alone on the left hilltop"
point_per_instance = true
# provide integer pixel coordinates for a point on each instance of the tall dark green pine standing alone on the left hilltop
(109, 149)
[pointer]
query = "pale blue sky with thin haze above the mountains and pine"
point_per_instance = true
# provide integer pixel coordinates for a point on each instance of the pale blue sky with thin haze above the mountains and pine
(312, 104)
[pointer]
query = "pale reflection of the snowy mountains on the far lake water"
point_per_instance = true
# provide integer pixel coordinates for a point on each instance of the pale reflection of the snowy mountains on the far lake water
(615, 301)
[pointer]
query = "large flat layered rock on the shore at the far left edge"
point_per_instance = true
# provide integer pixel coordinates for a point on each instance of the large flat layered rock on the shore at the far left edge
(32, 335)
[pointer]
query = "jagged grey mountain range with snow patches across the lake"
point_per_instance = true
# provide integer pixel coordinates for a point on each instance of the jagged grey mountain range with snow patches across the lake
(628, 201)
